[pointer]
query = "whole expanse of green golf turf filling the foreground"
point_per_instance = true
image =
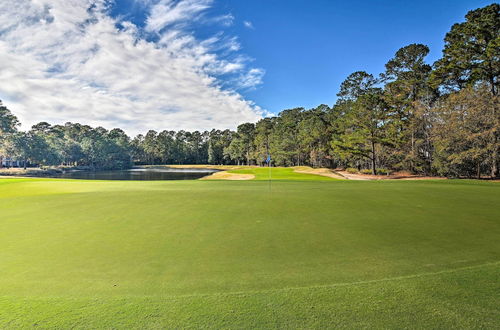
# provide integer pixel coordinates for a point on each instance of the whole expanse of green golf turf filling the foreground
(298, 254)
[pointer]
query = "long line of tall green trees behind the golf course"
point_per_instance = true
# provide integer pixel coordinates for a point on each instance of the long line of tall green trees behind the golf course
(439, 119)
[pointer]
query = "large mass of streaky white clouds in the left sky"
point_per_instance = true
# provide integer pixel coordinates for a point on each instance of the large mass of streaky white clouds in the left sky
(65, 60)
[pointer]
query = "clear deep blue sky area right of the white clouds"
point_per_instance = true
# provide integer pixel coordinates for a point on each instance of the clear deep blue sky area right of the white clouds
(308, 47)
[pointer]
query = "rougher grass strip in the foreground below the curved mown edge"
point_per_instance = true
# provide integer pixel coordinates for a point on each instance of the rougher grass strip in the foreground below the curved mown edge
(463, 299)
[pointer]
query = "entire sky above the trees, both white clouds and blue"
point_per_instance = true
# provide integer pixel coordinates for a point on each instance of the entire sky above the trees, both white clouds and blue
(199, 64)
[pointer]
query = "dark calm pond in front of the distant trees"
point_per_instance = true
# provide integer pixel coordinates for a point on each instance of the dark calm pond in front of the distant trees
(140, 174)
